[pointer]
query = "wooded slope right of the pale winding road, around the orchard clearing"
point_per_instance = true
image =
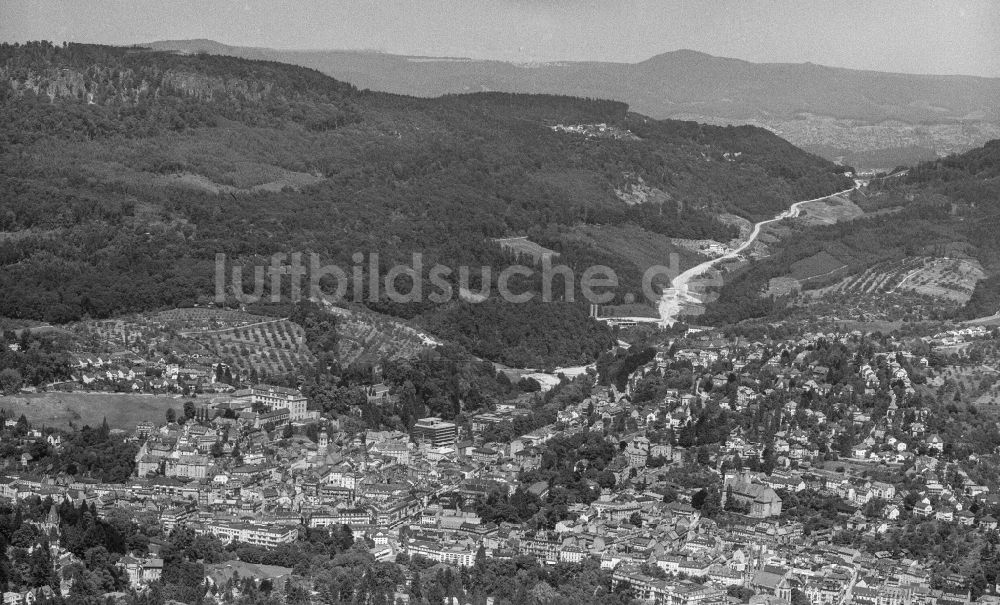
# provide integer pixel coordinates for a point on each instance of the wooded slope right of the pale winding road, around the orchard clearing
(948, 208)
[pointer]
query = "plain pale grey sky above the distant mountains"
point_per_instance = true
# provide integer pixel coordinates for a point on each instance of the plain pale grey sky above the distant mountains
(919, 36)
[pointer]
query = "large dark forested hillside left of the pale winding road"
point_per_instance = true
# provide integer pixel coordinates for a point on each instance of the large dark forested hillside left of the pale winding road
(125, 171)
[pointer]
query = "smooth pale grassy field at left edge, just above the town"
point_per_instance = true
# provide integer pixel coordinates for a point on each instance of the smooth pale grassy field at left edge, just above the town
(122, 410)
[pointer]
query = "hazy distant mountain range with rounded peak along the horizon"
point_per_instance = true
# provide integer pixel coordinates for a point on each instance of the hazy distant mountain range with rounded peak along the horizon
(865, 118)
